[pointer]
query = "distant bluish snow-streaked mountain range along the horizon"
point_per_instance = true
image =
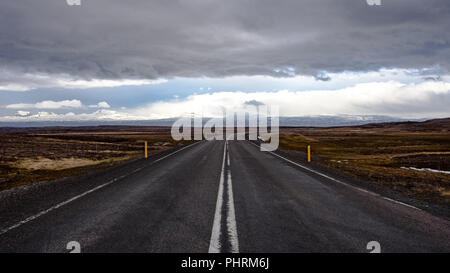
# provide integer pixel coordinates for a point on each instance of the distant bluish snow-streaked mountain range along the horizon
(304, 121)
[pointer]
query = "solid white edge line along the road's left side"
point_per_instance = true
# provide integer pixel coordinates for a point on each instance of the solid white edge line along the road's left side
(31, 218)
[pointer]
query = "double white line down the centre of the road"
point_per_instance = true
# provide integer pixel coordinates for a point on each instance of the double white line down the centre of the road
(215, 245)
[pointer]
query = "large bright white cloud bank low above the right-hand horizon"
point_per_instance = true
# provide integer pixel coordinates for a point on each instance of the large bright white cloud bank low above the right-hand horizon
(427, 99)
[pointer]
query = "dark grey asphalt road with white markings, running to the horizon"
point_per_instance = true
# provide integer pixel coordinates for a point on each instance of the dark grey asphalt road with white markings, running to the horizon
(212, 196)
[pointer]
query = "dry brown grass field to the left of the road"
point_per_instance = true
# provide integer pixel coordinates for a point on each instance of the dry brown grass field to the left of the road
(33, 155)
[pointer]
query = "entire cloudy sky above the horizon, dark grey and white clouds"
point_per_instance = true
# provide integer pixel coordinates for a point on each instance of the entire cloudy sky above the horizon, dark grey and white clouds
(139, 59)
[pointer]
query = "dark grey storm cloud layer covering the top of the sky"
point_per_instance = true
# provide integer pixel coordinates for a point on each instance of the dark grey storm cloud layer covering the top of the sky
(162, 38)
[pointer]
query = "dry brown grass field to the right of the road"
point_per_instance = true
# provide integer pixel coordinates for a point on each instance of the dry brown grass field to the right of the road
(376, 155)
